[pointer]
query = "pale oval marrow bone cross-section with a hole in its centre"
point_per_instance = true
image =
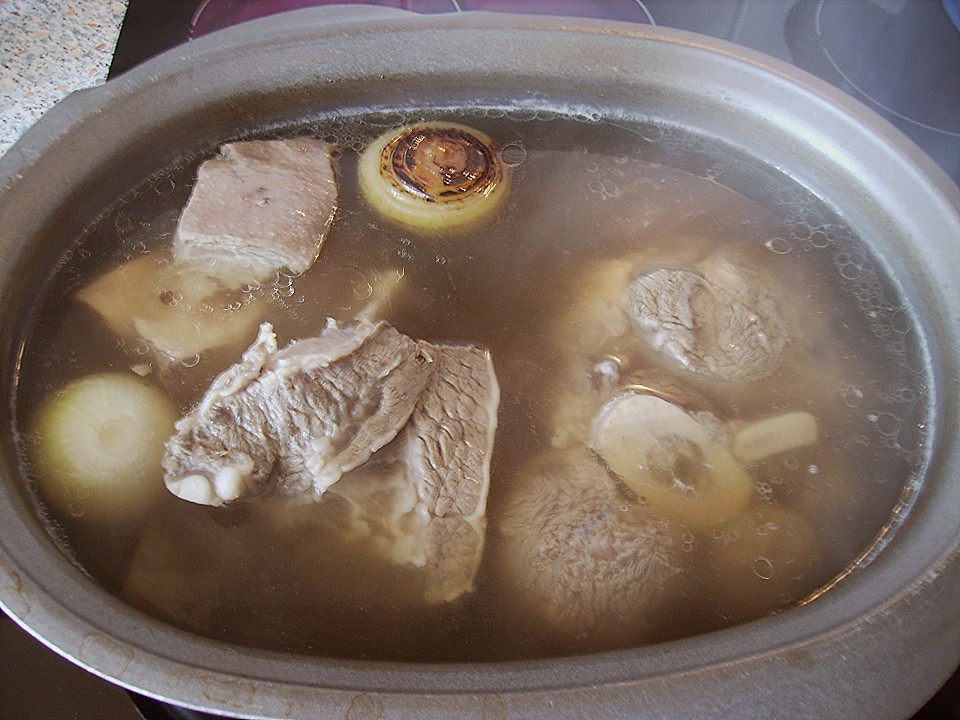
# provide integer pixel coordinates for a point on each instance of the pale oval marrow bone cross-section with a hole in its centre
(670, 461)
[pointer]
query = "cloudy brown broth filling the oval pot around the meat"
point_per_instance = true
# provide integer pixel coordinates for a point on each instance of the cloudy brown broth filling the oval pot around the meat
(592, 206)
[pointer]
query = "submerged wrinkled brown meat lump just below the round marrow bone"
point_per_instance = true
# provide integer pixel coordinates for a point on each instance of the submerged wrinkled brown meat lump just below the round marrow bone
(596, 566)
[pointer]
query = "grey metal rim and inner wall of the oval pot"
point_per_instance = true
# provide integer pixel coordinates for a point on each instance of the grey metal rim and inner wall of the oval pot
(875, 646)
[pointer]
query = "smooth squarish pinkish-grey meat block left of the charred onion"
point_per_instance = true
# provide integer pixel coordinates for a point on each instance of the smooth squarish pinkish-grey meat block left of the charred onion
(258, 207)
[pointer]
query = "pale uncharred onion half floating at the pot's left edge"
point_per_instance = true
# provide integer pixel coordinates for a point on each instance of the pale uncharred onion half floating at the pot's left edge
(97, 443)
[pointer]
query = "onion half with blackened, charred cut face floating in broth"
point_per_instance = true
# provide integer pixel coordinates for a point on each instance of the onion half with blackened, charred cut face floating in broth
(433, 176)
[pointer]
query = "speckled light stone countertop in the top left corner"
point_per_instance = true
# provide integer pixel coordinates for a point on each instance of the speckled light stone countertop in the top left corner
(48, 49)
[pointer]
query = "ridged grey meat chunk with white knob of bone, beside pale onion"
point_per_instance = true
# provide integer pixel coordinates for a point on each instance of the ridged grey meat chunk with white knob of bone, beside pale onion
(295, 420)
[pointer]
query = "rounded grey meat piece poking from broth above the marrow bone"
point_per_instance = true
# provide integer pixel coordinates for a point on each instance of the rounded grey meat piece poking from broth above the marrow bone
(717, 320)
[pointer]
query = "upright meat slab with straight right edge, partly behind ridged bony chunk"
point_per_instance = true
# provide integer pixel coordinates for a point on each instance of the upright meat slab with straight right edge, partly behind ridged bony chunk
(422, 499)
